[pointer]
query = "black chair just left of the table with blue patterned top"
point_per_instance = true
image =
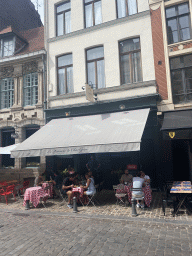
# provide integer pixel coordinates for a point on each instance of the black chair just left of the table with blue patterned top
(167, 198)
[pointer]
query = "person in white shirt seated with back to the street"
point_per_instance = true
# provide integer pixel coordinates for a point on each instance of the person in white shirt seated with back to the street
(138, 183)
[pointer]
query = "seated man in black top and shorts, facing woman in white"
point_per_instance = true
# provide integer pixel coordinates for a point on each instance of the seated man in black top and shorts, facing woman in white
(67, 186)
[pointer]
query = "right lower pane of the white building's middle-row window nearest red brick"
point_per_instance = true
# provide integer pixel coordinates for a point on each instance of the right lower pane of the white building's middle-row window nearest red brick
(136, 67)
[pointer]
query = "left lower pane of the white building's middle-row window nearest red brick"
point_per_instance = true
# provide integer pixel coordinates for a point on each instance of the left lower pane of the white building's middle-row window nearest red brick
(125, 69)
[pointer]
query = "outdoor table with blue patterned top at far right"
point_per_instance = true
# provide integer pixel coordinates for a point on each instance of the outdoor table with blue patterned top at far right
(183, 190)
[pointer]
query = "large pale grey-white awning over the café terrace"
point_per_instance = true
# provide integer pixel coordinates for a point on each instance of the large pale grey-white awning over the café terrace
(112, 132)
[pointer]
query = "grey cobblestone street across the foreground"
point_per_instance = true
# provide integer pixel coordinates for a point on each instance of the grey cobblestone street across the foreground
(38, 233)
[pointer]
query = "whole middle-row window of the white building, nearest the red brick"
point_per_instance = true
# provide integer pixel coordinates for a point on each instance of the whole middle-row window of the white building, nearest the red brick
(130, 61)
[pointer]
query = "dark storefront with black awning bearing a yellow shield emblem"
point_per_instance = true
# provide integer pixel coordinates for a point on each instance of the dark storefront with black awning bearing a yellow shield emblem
(177, 136)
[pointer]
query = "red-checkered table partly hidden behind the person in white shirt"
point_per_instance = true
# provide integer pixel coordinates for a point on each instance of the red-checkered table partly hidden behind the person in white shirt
(146, 191)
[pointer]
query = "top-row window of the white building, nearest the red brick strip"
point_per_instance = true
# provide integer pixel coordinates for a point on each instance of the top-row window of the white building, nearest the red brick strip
(126, 8)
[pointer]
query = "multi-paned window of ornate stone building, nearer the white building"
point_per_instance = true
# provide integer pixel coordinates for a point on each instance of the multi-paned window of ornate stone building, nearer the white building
(30, 89)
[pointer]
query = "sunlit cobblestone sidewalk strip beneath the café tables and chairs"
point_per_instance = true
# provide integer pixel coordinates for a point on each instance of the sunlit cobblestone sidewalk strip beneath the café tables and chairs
(107, 207)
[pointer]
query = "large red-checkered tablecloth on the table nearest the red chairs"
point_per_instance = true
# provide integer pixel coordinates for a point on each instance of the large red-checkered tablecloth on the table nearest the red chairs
(34, 194)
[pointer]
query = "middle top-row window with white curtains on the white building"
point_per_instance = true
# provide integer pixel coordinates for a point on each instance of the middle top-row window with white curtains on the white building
(93, 15)
